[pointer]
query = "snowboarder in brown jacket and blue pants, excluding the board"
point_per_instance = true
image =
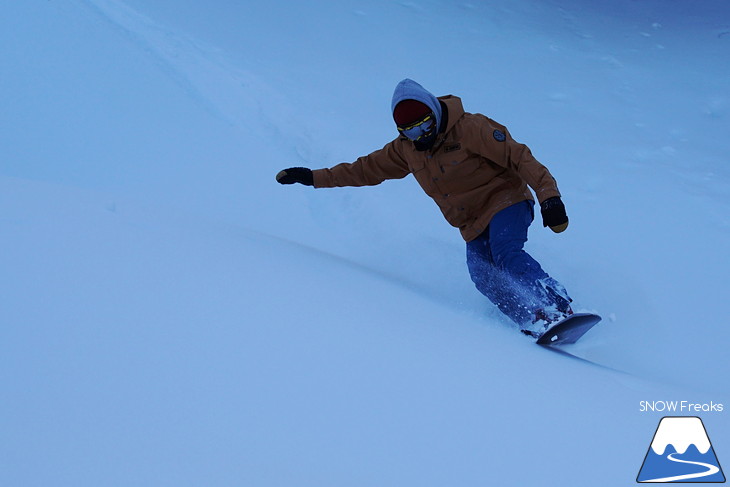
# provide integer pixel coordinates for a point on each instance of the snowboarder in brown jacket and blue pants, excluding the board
(478, 175)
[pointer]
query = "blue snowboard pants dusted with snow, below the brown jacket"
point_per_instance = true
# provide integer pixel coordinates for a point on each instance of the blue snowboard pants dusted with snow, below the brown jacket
(506, 274)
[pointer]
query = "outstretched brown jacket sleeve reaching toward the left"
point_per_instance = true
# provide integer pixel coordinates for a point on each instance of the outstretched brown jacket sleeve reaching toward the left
(369, 170)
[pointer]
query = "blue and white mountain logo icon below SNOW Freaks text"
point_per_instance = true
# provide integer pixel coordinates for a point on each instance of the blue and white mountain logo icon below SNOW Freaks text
(681, 452)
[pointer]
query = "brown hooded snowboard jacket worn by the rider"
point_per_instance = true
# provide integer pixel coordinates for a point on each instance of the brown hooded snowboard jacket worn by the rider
(474, 170)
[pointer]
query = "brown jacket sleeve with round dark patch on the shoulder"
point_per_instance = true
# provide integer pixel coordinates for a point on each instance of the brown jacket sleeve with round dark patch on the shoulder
(497, 145)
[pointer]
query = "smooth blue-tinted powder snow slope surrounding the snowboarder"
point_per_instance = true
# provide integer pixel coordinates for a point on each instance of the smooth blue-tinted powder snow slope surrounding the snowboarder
(172, 316)
